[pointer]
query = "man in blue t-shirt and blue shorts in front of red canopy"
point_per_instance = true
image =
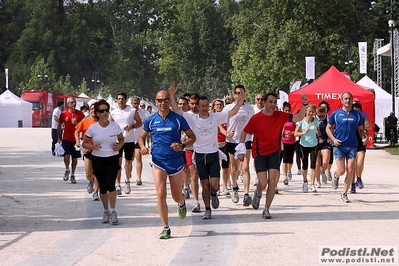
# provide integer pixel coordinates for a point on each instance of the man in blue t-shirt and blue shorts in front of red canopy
(342, 126)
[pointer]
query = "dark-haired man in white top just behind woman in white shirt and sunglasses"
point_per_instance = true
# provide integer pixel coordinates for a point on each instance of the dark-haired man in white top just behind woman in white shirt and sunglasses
(128, 119)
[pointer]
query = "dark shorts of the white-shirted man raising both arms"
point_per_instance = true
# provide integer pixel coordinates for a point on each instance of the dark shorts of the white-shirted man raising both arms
(207, 165)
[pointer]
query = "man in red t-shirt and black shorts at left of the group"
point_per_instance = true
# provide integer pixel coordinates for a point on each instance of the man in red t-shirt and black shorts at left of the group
(70, 118)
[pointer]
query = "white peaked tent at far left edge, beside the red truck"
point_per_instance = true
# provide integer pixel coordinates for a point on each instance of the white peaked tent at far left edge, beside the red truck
(14, 111)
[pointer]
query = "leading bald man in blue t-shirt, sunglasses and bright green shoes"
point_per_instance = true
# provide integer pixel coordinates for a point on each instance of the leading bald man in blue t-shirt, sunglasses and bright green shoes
(166, 127)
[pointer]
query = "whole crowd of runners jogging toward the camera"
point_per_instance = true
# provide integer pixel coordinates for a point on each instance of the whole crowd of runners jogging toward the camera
(194, 141)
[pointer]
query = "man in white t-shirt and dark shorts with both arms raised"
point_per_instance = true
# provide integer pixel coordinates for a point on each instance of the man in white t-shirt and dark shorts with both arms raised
(205, 126)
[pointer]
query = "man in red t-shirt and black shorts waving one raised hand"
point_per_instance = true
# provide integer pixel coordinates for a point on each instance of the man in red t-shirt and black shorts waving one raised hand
(266, 127)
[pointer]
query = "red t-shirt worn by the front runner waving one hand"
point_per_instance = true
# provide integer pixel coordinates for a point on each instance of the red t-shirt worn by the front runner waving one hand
(267, 132)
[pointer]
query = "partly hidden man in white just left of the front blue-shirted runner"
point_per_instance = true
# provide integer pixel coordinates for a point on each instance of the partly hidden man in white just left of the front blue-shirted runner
(139, 159)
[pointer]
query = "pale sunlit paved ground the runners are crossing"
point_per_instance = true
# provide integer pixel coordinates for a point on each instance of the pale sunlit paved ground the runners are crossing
(46, 221)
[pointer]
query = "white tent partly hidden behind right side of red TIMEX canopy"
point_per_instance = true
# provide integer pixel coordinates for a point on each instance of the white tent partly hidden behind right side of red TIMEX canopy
(383, 101)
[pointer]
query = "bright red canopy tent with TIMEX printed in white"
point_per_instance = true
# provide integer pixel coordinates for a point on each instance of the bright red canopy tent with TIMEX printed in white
(329, 87)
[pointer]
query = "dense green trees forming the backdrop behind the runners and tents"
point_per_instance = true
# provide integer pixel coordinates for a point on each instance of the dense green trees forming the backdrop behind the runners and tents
(206, 46)
